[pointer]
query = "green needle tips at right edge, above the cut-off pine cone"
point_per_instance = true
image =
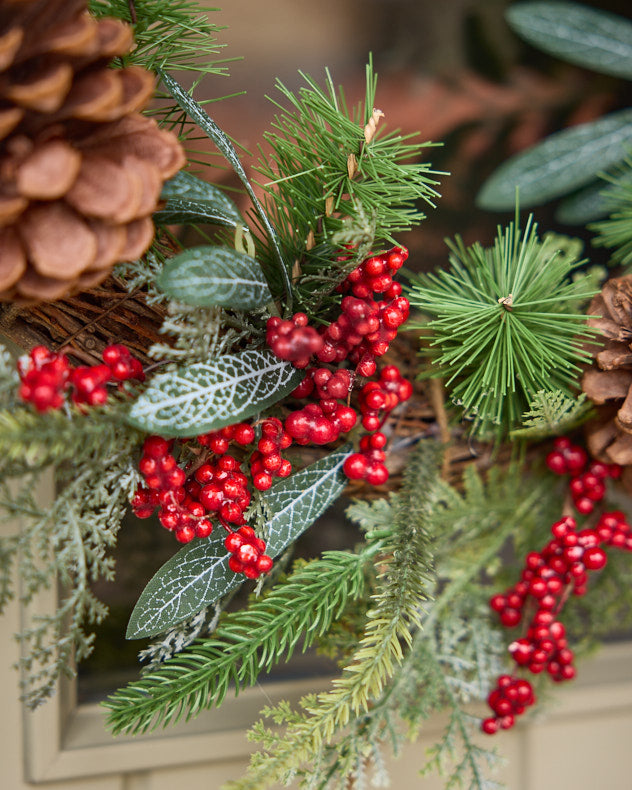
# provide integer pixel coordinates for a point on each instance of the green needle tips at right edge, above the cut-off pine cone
(615, 233)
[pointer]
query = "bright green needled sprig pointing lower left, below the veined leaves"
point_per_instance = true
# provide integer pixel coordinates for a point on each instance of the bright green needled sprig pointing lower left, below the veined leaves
(245, 644)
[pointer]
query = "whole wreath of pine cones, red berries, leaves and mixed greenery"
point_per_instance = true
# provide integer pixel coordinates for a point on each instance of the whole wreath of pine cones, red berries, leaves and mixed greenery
(235, 388)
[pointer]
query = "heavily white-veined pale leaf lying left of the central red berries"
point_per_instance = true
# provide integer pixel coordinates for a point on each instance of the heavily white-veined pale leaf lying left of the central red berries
(206, 396)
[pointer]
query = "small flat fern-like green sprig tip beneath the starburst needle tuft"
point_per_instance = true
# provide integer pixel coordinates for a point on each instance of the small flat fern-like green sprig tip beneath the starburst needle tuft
(552, 414)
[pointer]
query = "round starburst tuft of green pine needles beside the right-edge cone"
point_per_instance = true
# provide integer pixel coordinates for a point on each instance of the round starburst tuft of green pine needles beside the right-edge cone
(504, 325)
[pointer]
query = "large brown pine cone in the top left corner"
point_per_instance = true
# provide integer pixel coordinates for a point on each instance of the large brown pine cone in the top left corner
(81, 169)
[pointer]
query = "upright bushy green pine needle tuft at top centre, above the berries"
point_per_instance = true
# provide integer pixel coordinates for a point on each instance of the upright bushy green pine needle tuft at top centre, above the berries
(322, 171)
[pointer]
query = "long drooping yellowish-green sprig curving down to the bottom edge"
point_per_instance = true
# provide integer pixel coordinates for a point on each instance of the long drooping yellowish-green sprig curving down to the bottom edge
(395, 613)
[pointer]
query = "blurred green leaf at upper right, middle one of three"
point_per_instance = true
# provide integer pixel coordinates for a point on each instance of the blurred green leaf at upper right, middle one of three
(563, 162)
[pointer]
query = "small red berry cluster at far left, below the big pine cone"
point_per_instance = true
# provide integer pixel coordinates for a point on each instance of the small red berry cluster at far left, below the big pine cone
(46, 377)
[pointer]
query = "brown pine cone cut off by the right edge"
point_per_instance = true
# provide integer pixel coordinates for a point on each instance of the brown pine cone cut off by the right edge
(609, 382)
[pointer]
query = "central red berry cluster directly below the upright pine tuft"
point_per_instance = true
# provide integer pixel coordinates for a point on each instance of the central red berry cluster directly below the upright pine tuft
(371, 312)
